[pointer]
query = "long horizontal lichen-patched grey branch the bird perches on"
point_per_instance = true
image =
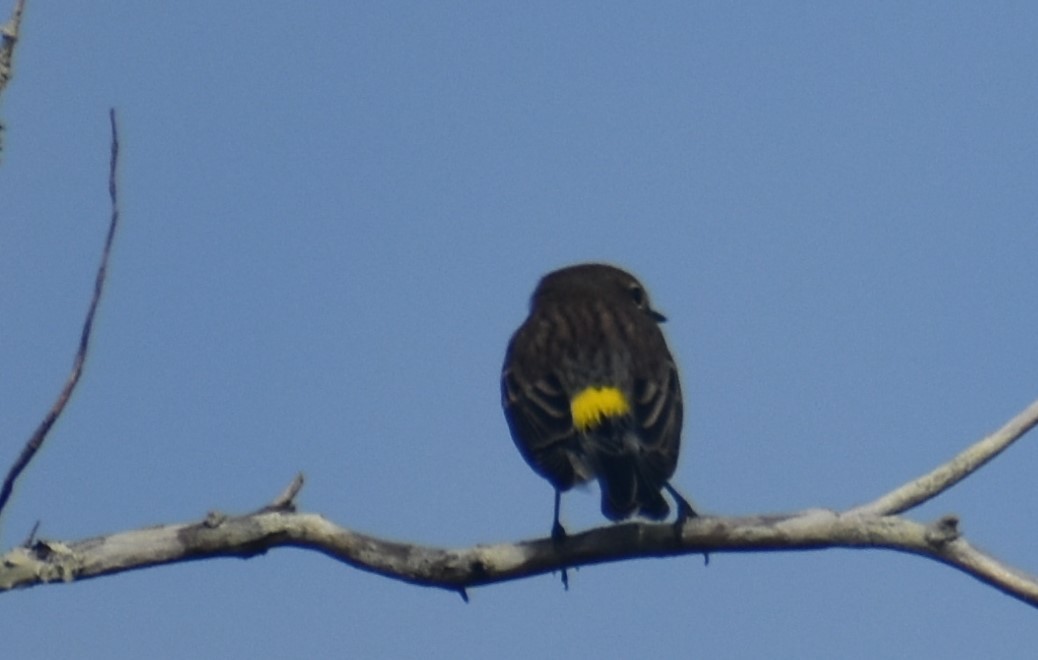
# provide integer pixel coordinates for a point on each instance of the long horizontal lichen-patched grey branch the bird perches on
(459, 569)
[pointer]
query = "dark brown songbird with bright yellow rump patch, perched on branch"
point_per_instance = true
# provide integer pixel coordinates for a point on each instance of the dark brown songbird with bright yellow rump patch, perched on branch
(590, 391)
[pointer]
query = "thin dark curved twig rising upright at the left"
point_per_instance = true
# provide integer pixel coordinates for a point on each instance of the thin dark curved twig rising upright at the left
(37, 442)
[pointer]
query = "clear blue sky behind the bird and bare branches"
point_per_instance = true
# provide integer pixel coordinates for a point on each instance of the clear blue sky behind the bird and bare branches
(335, 216)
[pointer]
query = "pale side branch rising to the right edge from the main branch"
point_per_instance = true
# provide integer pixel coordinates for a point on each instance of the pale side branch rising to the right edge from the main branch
(933, 484)
